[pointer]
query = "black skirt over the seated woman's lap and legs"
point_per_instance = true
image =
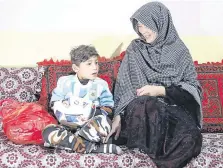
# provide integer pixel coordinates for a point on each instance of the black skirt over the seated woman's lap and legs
(168, 134)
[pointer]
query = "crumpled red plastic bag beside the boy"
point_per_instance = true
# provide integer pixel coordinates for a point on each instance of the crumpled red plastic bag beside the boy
(23, 122)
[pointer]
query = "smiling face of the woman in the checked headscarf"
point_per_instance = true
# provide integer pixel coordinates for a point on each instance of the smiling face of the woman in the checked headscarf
(147, 33)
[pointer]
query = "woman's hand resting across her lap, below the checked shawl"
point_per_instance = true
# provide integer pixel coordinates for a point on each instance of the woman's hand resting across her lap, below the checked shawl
(151, 90)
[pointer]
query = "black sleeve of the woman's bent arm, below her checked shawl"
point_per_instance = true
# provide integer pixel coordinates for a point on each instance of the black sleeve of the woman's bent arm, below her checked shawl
(177, 95)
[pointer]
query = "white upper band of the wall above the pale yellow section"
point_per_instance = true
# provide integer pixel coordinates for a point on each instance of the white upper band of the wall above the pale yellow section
(198, 17)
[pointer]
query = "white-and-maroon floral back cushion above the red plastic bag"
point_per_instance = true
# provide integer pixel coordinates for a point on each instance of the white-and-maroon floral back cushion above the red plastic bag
(20, 84)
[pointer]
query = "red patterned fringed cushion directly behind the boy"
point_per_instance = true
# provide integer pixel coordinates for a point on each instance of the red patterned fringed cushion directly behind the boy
(108, 69)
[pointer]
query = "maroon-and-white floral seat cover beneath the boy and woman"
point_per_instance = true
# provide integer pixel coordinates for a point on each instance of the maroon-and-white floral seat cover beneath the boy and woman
(22, 156)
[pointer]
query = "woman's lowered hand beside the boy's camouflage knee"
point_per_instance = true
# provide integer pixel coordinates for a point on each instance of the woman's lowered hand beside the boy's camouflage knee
(116, 128)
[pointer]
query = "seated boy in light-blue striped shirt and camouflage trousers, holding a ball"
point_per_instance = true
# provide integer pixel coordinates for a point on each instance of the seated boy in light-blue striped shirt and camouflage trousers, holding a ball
(81, 103)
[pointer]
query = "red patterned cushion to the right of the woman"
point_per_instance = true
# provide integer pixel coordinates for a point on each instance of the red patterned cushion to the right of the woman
(210, 76)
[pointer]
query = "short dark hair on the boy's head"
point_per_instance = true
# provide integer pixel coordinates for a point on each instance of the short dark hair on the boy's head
(82, 53)
